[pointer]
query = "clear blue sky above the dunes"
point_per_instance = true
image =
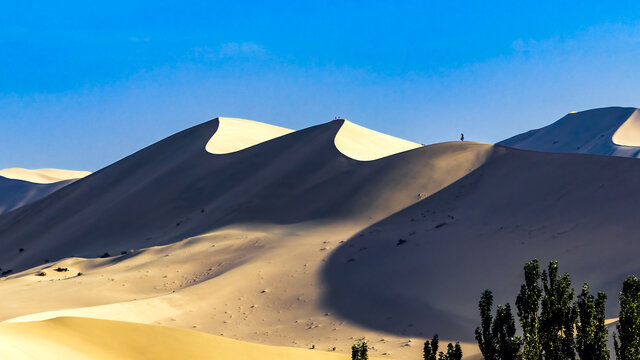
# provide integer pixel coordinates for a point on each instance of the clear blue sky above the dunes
(85, 83)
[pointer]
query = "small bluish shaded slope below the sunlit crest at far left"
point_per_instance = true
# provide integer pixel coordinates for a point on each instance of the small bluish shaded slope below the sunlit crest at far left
(17, 193)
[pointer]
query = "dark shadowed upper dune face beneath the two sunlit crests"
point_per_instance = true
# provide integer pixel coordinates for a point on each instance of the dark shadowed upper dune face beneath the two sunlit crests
(176, 189)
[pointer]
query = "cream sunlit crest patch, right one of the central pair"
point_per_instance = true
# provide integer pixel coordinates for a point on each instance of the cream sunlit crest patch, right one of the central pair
(360, 143)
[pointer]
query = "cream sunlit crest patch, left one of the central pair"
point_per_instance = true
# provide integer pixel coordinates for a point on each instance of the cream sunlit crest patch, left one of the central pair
(237, 134)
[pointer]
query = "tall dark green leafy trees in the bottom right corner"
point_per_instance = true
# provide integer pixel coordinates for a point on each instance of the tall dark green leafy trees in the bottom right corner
(556, 324)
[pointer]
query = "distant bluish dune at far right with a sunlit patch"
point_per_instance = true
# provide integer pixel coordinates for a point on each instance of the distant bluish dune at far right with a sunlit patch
(606, 131)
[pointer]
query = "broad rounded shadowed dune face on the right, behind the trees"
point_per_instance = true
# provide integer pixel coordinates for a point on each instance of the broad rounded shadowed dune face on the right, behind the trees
(422, 270)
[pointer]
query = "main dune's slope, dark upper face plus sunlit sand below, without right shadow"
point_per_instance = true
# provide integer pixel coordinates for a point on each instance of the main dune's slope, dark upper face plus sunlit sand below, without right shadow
(230, 244)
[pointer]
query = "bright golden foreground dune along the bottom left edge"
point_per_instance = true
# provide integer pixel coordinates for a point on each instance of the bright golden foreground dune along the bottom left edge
(85, 338)
